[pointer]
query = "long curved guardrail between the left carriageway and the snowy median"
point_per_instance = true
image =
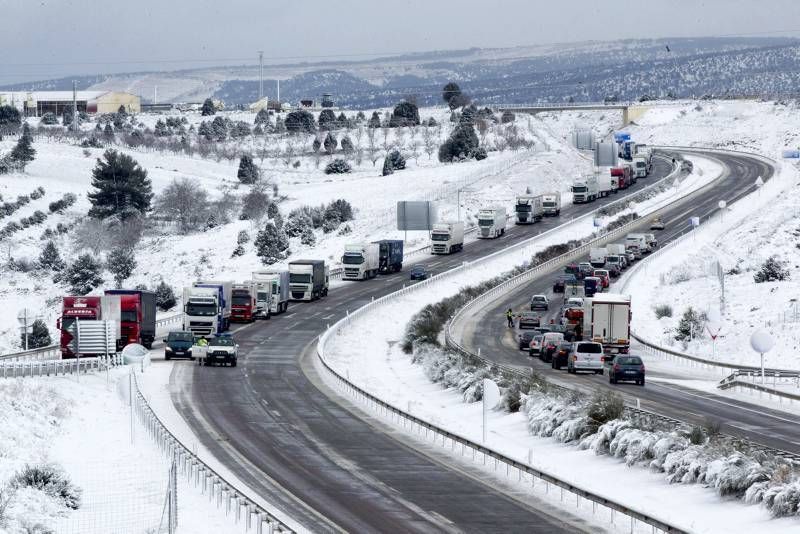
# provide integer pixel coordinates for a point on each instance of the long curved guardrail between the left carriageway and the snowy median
(412, 421)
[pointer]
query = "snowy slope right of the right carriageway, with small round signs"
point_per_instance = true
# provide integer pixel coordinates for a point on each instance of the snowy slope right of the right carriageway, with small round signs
(760, 226)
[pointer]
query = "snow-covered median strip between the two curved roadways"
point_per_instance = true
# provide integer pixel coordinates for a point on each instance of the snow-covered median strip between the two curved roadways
(377, 364)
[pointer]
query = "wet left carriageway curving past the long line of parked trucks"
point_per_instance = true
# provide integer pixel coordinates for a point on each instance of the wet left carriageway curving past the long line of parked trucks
(303, 448)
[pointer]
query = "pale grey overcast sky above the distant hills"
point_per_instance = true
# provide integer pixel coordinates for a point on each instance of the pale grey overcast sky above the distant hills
(55, 38)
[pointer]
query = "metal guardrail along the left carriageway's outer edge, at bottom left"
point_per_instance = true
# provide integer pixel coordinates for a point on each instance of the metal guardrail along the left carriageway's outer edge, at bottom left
(200, 474)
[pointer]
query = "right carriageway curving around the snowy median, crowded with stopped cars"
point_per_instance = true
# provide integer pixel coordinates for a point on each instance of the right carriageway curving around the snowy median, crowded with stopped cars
(768, 427)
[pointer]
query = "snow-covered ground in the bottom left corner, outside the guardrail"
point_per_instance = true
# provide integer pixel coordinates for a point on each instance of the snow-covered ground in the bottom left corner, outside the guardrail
(120, 478)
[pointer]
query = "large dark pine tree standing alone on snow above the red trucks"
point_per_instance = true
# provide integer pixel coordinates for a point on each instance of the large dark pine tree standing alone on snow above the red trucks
(122, 187)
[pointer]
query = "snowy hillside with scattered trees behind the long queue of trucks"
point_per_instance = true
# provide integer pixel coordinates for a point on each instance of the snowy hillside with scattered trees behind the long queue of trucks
(62, 168)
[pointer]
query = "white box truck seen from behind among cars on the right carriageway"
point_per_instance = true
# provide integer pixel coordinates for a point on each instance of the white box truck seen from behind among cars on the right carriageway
(607, 320)
